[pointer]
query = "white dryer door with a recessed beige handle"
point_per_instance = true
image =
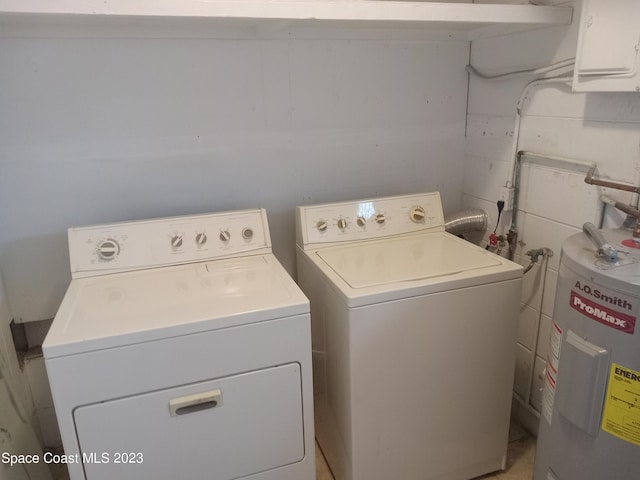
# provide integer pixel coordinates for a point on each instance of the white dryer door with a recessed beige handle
(225, 429)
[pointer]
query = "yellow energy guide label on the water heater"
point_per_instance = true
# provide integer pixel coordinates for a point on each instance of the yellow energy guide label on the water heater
(622, 404)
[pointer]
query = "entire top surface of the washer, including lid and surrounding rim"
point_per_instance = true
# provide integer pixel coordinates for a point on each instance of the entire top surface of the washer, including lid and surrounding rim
(365, 273)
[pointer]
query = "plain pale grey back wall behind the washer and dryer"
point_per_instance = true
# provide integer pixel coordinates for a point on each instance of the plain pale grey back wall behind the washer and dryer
(113, 129)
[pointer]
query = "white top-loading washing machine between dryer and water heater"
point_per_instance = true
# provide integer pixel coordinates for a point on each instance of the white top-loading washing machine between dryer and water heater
(414, 334)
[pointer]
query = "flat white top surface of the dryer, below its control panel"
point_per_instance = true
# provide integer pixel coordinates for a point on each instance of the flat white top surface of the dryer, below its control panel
(126, 308)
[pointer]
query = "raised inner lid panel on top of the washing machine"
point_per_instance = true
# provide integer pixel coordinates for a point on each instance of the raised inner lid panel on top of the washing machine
(378, 263)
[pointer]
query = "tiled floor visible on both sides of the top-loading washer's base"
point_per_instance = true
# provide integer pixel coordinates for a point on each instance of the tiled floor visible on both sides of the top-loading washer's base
(520, 457)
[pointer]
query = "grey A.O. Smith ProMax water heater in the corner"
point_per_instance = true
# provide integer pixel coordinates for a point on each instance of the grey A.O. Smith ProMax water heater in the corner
(590, 421)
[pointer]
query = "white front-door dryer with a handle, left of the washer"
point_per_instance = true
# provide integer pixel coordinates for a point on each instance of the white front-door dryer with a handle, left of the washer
(182, 349)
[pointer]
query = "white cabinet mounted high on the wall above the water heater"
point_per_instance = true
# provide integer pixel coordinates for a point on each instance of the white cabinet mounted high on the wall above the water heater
(607, 58)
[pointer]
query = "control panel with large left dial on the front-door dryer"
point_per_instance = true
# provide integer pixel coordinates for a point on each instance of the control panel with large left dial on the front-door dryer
(102, 249)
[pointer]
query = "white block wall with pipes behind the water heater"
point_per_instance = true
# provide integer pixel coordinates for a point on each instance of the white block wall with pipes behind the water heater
(555, 201)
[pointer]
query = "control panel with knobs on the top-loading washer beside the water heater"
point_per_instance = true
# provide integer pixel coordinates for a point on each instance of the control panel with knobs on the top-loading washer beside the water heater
(368, 219)
